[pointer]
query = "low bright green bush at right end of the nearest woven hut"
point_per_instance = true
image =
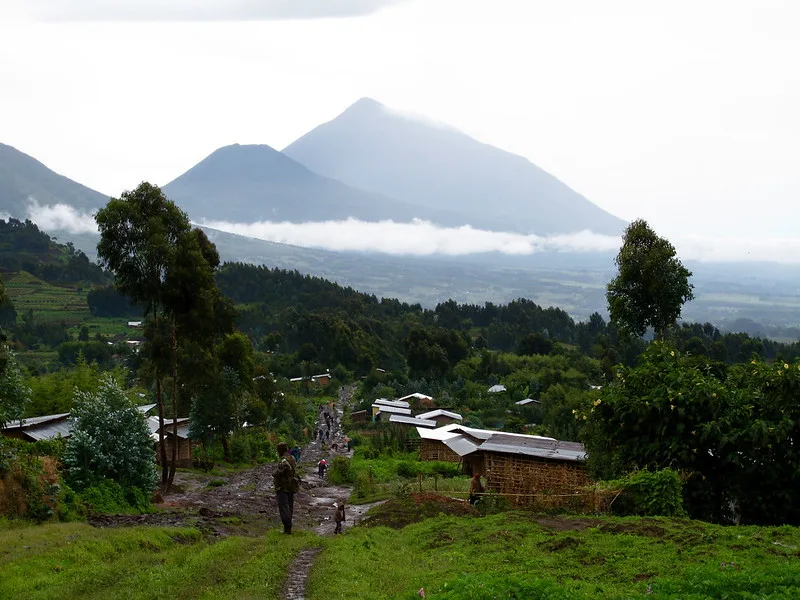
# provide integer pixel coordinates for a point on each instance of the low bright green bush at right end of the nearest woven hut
(648, 493)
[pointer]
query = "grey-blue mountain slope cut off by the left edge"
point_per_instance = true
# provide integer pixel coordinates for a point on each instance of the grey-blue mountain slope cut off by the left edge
(23, 179)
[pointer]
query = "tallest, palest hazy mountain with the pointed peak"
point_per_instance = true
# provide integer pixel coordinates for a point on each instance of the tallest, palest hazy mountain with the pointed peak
(373, 148)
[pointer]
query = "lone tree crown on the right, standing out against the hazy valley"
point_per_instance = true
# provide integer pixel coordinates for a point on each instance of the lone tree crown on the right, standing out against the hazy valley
(652, 284)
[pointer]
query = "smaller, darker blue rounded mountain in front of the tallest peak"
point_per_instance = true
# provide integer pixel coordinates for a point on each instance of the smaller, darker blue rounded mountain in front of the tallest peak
(246, 183)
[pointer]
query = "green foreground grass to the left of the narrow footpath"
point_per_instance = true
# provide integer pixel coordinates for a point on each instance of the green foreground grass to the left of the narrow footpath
(63, 561)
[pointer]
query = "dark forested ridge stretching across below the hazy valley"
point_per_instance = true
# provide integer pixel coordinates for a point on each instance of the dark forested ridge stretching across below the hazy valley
(324, 323)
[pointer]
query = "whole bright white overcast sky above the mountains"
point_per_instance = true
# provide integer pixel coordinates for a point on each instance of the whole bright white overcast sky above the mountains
(685, 113)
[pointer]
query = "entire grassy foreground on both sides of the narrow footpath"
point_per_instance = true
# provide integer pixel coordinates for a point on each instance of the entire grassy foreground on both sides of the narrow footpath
(507, 555)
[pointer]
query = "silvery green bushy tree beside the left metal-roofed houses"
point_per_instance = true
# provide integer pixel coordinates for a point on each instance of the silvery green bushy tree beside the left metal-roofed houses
(110, 440)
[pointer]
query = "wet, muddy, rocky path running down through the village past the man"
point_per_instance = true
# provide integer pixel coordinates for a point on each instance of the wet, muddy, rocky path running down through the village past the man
(243, 502)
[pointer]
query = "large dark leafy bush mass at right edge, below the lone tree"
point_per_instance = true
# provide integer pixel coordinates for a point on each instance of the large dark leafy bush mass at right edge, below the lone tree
(728, 432)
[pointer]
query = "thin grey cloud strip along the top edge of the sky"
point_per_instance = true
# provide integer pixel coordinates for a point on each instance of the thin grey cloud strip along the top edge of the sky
(201, 10)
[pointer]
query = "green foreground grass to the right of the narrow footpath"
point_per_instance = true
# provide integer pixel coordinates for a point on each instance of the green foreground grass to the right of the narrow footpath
(510, 555)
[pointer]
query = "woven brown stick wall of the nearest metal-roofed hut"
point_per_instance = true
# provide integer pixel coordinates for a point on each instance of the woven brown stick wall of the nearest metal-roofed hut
(554, 480)
